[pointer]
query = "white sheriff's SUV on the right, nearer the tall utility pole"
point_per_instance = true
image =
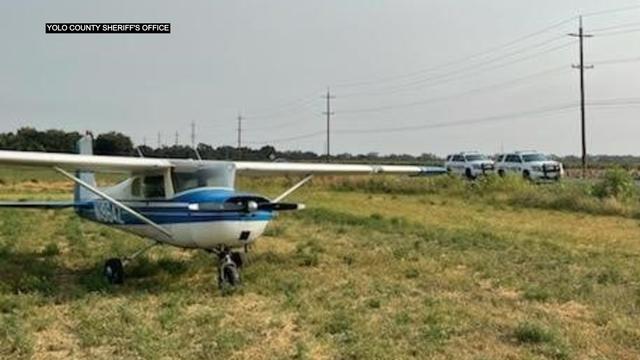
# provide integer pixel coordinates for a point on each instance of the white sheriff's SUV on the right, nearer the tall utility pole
(532, 165)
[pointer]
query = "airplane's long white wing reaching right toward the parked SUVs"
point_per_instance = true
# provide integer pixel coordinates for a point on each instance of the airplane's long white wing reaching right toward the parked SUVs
(275, 168)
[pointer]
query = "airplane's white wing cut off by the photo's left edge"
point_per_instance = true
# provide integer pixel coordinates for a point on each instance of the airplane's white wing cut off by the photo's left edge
(82, 162)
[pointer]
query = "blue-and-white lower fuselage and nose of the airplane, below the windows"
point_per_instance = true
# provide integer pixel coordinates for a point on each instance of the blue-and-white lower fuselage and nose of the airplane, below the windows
(196, 218)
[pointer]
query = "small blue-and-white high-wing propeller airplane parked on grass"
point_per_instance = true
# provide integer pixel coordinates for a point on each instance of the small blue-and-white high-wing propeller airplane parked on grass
(181, 202)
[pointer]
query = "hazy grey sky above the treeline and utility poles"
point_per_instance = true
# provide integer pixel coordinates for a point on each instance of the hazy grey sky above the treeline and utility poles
(404, 72)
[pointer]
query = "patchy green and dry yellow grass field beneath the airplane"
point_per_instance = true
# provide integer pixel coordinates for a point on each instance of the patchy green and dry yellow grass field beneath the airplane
(388, 269)
